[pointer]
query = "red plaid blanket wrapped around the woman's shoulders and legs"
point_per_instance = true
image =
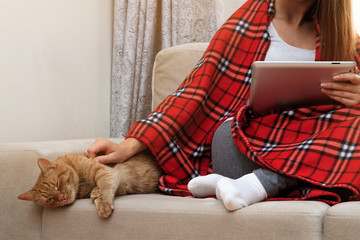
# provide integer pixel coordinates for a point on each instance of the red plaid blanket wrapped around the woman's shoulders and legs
(318, 144)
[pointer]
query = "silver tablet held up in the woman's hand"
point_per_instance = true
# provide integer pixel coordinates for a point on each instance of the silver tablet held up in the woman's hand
(278, 86)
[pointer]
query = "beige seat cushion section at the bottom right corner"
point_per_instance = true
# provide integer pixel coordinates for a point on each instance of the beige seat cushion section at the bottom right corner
(342, 221)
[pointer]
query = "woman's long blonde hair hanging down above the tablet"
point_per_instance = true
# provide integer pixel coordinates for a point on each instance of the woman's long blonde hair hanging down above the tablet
(337, 31)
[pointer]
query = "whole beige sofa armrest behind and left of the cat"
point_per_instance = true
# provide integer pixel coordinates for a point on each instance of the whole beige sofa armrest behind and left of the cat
(18, 173)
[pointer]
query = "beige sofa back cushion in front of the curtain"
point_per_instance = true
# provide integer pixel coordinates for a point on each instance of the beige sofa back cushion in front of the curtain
(171, 67)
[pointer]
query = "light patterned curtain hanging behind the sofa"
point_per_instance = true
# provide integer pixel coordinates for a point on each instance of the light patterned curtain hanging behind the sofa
(141, 29)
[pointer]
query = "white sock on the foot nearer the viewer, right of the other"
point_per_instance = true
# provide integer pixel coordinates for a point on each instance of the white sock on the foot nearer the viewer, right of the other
(241, 192)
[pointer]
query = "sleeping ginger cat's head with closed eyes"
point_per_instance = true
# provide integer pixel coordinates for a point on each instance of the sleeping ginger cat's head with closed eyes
(56, 186)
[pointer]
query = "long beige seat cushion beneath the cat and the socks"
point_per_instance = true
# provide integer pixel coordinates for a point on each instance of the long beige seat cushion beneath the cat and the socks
(157, 216)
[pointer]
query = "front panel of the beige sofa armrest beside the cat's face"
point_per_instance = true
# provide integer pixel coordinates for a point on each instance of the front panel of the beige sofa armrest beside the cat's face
(19, 171)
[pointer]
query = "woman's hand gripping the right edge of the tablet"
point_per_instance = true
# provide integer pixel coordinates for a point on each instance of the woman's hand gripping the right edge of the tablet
(345, 88)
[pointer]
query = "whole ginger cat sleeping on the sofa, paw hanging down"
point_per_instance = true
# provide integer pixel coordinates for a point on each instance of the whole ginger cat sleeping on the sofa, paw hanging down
(77, 176)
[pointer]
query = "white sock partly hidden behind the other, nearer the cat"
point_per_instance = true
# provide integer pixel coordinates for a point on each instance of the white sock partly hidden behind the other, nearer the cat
(204, 186)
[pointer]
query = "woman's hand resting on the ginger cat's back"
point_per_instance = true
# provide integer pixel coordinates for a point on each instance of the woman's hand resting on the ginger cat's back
(114, 152)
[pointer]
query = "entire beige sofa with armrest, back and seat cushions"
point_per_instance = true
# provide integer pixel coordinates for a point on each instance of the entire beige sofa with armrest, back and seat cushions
(157, 216)
